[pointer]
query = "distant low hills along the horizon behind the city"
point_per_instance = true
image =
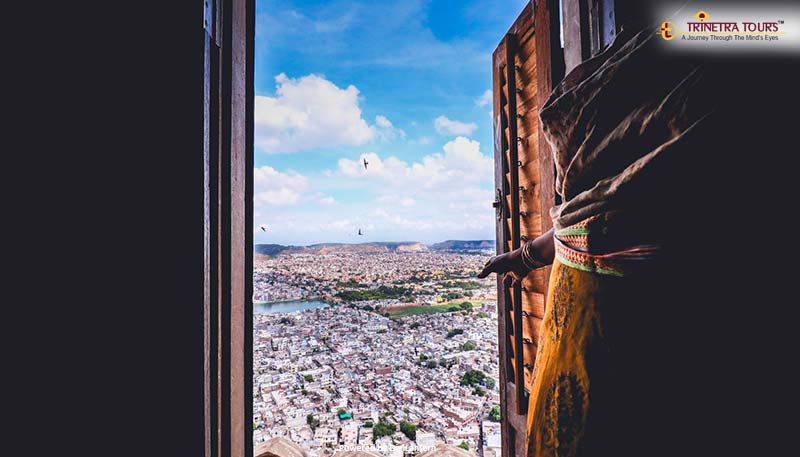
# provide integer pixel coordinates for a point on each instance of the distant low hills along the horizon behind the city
(390, 246)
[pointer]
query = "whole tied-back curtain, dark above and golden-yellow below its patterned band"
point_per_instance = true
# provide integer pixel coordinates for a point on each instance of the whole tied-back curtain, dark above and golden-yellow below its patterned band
(624, 127)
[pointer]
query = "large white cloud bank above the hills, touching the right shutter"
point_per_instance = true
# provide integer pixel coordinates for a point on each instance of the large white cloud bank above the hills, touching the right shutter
(442, 195)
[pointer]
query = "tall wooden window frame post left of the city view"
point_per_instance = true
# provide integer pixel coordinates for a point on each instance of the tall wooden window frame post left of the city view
(228, 220)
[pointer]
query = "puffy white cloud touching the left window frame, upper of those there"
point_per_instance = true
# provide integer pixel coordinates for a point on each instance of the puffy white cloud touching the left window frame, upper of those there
(309, 112)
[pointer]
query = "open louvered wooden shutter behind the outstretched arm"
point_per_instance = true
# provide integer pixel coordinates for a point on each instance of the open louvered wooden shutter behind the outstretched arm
(525, 64)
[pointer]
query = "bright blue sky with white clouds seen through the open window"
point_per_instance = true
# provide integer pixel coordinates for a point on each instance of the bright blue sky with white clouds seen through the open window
(403, 84)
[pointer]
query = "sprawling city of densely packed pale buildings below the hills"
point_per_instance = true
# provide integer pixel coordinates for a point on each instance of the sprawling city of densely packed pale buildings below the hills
(390, 349)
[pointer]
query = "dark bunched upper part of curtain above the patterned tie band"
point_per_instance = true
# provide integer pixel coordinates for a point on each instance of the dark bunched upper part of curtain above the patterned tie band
(620, 126)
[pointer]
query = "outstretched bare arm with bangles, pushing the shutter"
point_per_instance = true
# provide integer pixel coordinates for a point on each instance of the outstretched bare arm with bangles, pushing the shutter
(517, 263)
